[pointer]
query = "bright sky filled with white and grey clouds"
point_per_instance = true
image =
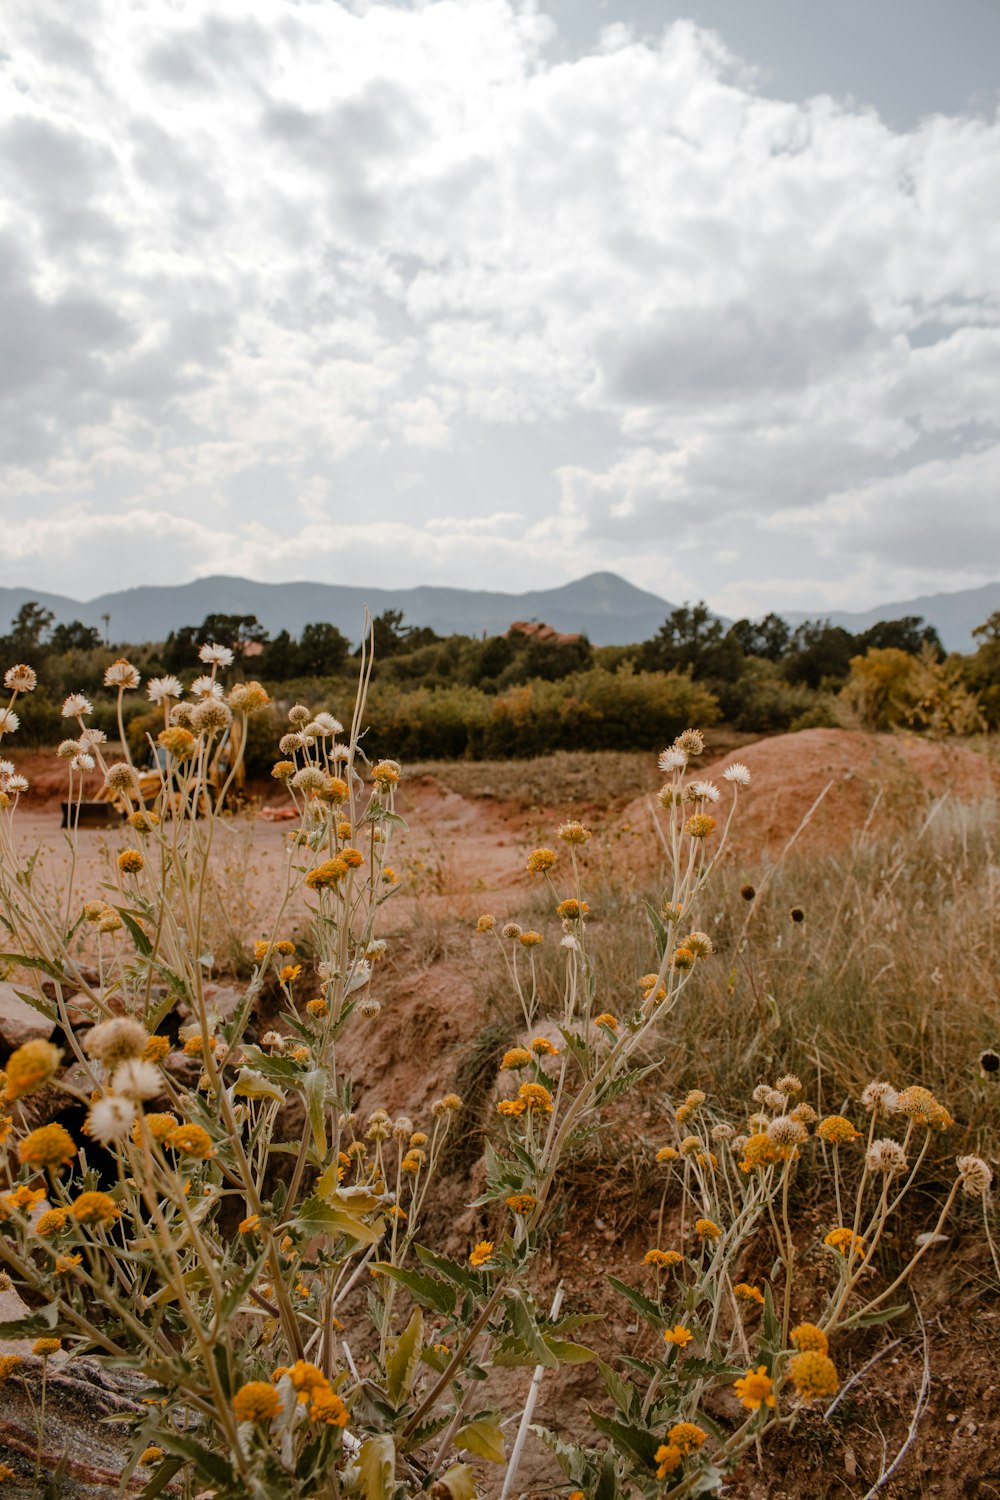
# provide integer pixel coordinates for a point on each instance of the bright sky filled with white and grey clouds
(496, 295)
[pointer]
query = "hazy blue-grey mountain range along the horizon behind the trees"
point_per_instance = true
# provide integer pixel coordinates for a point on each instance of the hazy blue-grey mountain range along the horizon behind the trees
(605, 607)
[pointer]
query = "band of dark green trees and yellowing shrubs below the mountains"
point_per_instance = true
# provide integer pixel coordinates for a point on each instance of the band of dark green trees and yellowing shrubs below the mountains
(521, 695)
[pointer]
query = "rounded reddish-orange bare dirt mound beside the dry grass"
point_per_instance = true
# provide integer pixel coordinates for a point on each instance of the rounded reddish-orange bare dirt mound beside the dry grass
(858, 776)
